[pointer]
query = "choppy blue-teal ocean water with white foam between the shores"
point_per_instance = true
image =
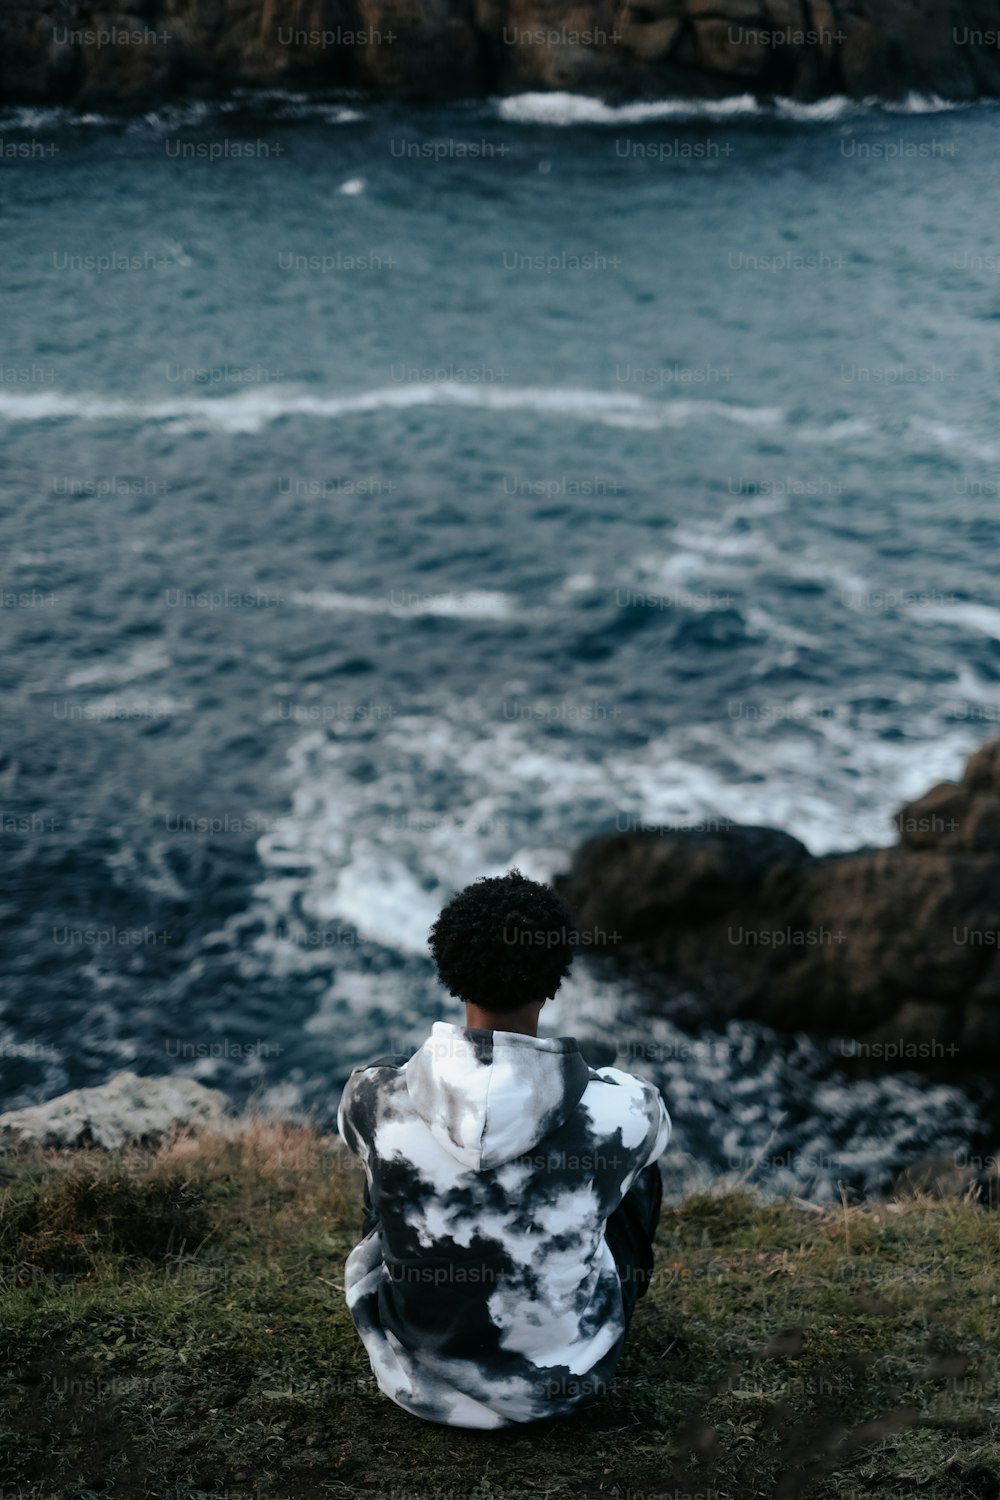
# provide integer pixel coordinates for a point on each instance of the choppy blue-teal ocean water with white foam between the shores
(395, 497)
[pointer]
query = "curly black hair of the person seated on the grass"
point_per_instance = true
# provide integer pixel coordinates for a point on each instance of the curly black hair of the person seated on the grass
(503, 943)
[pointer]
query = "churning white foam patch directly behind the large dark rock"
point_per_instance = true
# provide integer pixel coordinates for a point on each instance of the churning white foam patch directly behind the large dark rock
(382, 854)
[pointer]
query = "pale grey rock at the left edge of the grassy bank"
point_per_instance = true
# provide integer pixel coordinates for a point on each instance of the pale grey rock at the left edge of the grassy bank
(128, 1109)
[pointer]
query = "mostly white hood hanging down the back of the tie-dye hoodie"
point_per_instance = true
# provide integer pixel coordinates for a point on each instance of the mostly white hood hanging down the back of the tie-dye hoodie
(491, 1096)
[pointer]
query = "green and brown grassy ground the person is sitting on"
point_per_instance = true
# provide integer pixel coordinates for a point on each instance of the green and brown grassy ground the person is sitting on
(173, 1325)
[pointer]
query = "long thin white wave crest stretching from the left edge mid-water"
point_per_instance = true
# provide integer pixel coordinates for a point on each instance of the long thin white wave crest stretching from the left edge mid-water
(253, 410)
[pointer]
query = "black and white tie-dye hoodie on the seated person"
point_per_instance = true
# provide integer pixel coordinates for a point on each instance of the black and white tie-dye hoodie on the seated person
(488, 1294)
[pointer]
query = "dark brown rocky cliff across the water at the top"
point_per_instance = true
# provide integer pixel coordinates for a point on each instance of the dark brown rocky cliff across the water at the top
(89, 56)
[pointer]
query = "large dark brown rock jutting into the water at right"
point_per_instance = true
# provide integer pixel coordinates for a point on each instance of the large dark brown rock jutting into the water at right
(897, 949)
